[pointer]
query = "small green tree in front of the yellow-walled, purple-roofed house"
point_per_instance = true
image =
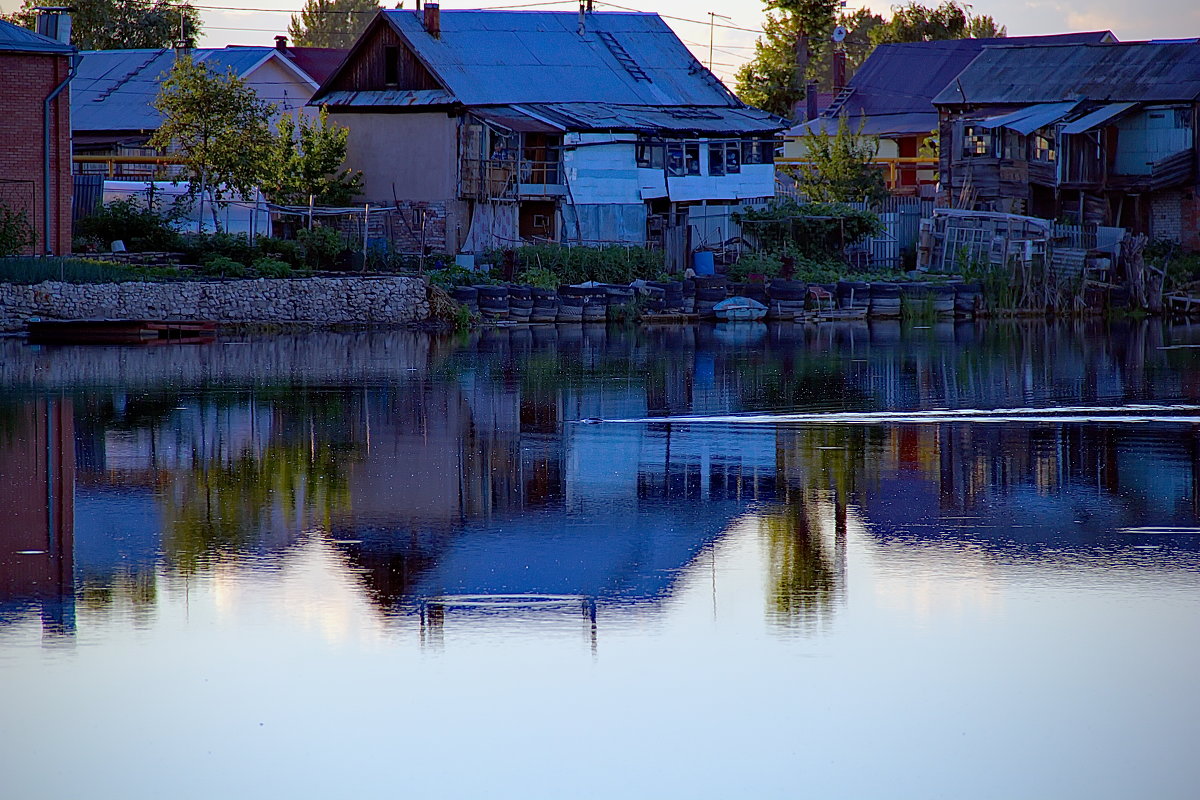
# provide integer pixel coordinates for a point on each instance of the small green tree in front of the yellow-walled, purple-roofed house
(841, 167)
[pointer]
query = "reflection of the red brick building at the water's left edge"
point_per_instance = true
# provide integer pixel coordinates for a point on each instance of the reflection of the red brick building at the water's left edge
(38, 477)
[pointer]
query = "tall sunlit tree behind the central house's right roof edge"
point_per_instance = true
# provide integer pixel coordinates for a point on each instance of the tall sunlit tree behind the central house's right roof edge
(770, 82)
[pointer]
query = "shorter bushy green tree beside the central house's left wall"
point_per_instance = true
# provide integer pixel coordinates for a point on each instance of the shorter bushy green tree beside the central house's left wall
(307, 160)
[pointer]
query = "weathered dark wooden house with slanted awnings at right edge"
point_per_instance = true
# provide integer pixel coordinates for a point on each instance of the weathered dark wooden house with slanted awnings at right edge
(1094, 134)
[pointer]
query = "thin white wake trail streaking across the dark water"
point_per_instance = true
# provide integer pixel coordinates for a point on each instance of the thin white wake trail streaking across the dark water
(1132, 414)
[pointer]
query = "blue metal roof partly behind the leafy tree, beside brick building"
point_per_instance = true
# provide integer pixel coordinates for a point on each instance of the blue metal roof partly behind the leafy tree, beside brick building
(115, 91)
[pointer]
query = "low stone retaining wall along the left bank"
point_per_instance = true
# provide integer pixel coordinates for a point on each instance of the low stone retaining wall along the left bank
(310, 302)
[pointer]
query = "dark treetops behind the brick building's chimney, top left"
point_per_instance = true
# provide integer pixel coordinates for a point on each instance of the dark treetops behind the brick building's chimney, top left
(118, 25)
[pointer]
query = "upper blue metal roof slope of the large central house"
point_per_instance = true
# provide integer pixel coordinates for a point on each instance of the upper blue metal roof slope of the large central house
(539, 57)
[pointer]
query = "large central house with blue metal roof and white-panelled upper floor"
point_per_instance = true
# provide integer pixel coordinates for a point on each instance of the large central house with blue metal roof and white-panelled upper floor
(489, 129)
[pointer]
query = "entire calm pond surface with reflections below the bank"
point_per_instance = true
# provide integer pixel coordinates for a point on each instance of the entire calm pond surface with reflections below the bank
(397, 566)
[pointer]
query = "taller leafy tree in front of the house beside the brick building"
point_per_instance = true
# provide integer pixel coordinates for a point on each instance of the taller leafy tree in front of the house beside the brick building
(220, 128)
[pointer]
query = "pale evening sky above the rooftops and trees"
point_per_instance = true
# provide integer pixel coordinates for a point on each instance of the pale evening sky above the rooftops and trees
(736, 32)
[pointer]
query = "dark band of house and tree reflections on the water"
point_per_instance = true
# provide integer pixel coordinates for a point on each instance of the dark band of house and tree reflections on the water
(442, 470)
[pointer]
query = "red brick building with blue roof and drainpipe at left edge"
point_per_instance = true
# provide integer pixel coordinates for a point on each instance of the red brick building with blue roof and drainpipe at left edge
(32, 69)
